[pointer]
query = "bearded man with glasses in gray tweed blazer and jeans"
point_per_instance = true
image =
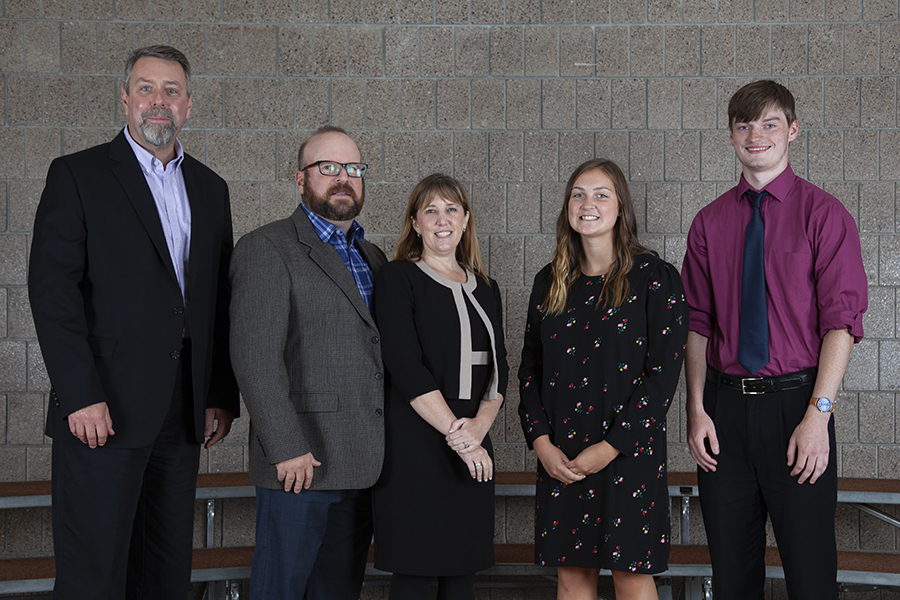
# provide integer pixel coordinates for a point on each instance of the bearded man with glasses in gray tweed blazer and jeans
(307, 357)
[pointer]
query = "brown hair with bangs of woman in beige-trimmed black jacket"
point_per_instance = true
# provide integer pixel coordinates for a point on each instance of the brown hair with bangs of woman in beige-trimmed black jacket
(409, 247)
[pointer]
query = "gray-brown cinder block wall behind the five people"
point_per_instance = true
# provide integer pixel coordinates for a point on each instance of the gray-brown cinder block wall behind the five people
(508, 96)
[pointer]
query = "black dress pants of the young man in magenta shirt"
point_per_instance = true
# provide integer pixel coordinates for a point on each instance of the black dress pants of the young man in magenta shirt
(752, 479)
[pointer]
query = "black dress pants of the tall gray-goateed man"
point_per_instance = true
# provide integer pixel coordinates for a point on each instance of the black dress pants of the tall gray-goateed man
(123, 517)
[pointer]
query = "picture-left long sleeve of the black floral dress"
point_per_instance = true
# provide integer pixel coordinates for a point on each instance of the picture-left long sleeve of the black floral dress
(535, 421)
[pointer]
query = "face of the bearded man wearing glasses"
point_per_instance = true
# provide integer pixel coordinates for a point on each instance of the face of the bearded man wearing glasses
(336, 199)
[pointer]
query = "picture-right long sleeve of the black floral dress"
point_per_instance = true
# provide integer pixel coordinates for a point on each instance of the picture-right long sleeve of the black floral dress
(639, 417)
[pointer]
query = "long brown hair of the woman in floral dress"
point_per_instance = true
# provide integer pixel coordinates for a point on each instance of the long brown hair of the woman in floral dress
(567, 259)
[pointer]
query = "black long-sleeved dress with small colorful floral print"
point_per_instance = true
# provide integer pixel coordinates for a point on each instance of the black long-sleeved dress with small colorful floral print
(596, 373)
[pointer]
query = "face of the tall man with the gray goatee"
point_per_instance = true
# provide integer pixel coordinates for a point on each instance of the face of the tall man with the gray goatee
(156, 104)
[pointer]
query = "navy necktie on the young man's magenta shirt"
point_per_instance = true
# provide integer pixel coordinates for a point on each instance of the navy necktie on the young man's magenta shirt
(753, 348)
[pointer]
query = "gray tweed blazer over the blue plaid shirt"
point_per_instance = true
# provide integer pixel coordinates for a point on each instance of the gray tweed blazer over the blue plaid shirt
(307, 356)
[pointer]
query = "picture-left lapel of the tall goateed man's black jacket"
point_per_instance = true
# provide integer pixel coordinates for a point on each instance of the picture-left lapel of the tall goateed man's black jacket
(128, 171)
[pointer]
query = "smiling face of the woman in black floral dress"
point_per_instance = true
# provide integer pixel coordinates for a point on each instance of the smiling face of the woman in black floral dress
(593, 205)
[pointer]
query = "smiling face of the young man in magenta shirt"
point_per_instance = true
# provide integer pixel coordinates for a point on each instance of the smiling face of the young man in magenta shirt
(762, 144)
